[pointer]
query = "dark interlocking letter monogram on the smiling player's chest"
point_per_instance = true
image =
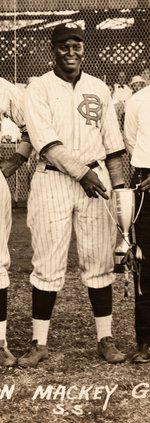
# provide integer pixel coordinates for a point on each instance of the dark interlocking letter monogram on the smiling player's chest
(90, 108)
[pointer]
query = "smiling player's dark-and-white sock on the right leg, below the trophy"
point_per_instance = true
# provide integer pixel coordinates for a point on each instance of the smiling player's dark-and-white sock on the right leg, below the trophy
(101, 301)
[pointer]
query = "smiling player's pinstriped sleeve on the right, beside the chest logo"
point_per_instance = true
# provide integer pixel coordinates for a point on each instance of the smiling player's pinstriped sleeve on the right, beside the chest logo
(112, 138)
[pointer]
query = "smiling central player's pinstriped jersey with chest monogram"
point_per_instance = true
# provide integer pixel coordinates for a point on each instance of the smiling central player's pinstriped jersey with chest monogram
(82, 118)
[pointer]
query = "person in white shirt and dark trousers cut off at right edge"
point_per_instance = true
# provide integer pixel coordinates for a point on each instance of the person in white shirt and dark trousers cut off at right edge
(137, 138)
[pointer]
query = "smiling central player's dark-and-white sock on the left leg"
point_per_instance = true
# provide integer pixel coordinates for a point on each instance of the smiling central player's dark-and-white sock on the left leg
(42, 307)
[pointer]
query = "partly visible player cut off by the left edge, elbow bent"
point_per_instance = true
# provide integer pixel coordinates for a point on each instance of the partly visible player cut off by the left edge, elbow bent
(11, 105)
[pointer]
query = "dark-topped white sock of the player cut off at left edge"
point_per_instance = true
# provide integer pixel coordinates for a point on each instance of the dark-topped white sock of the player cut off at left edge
(3, 315)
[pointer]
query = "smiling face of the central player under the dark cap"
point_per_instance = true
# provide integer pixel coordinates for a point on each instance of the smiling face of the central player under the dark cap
(69, 54)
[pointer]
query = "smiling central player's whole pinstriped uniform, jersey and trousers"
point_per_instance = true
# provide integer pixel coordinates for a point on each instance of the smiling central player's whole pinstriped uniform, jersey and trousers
(84, 120)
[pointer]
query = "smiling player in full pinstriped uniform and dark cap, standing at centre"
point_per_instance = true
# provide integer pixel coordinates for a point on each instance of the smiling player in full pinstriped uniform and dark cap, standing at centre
(73, 127)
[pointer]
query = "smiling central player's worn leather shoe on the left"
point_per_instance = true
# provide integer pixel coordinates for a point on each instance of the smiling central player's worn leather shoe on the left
(34, 355)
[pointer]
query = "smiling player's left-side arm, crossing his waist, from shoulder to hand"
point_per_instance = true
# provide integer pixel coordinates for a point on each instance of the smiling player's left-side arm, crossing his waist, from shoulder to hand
(45, 141)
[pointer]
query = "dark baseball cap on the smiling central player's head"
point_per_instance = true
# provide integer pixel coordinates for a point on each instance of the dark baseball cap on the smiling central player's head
(64, 31)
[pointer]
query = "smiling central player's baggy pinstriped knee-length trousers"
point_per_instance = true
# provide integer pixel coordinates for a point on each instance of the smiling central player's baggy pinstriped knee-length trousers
(54, 202)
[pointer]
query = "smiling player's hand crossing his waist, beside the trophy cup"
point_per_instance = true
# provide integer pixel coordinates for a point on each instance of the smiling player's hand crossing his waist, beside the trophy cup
(92, 185)
